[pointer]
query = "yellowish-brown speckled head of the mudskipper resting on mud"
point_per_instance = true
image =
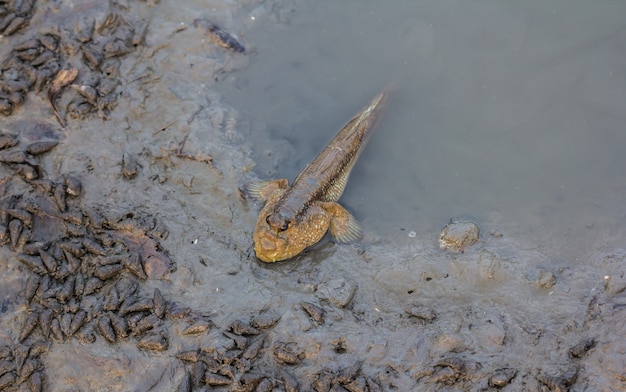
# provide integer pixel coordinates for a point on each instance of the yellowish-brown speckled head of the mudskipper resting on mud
(277, 242)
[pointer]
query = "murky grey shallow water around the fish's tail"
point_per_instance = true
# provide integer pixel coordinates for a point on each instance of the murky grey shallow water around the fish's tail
(508, 113)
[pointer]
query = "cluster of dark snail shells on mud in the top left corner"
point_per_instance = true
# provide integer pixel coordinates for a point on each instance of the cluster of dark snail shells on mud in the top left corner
(93, 47)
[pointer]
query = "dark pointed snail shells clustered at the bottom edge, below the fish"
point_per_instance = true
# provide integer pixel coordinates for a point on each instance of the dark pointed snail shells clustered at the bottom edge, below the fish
(235, 364)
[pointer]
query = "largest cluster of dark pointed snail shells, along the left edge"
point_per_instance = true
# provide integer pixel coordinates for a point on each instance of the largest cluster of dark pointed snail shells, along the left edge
(84, 280)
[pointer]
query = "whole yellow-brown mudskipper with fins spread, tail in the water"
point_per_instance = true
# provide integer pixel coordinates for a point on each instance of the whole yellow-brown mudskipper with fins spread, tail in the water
(298, 216)
